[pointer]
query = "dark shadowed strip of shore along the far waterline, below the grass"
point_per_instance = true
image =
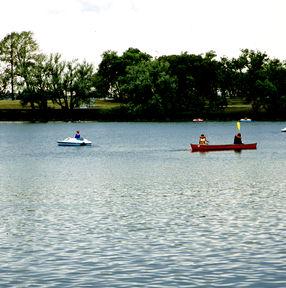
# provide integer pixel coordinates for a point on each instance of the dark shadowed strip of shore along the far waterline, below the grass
(121, 114)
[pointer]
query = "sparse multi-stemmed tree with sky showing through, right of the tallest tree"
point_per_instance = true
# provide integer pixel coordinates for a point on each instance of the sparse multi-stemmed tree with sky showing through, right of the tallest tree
(68, 84)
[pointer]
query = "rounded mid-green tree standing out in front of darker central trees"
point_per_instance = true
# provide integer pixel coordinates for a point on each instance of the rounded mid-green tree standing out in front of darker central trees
(149, 88)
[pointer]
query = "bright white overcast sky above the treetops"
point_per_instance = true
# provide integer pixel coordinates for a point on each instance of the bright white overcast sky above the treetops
(84, 29)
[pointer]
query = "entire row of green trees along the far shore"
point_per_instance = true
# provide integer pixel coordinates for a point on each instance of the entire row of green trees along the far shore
(166, 85)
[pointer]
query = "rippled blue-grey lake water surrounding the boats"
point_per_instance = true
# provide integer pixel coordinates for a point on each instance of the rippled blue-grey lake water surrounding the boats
(137, 209)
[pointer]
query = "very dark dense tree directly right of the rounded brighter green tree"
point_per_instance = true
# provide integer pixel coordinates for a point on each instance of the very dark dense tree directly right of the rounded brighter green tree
(197, 82)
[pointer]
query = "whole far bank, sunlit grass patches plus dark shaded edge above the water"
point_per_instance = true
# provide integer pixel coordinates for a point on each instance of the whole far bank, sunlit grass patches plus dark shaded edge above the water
(104, 110)
